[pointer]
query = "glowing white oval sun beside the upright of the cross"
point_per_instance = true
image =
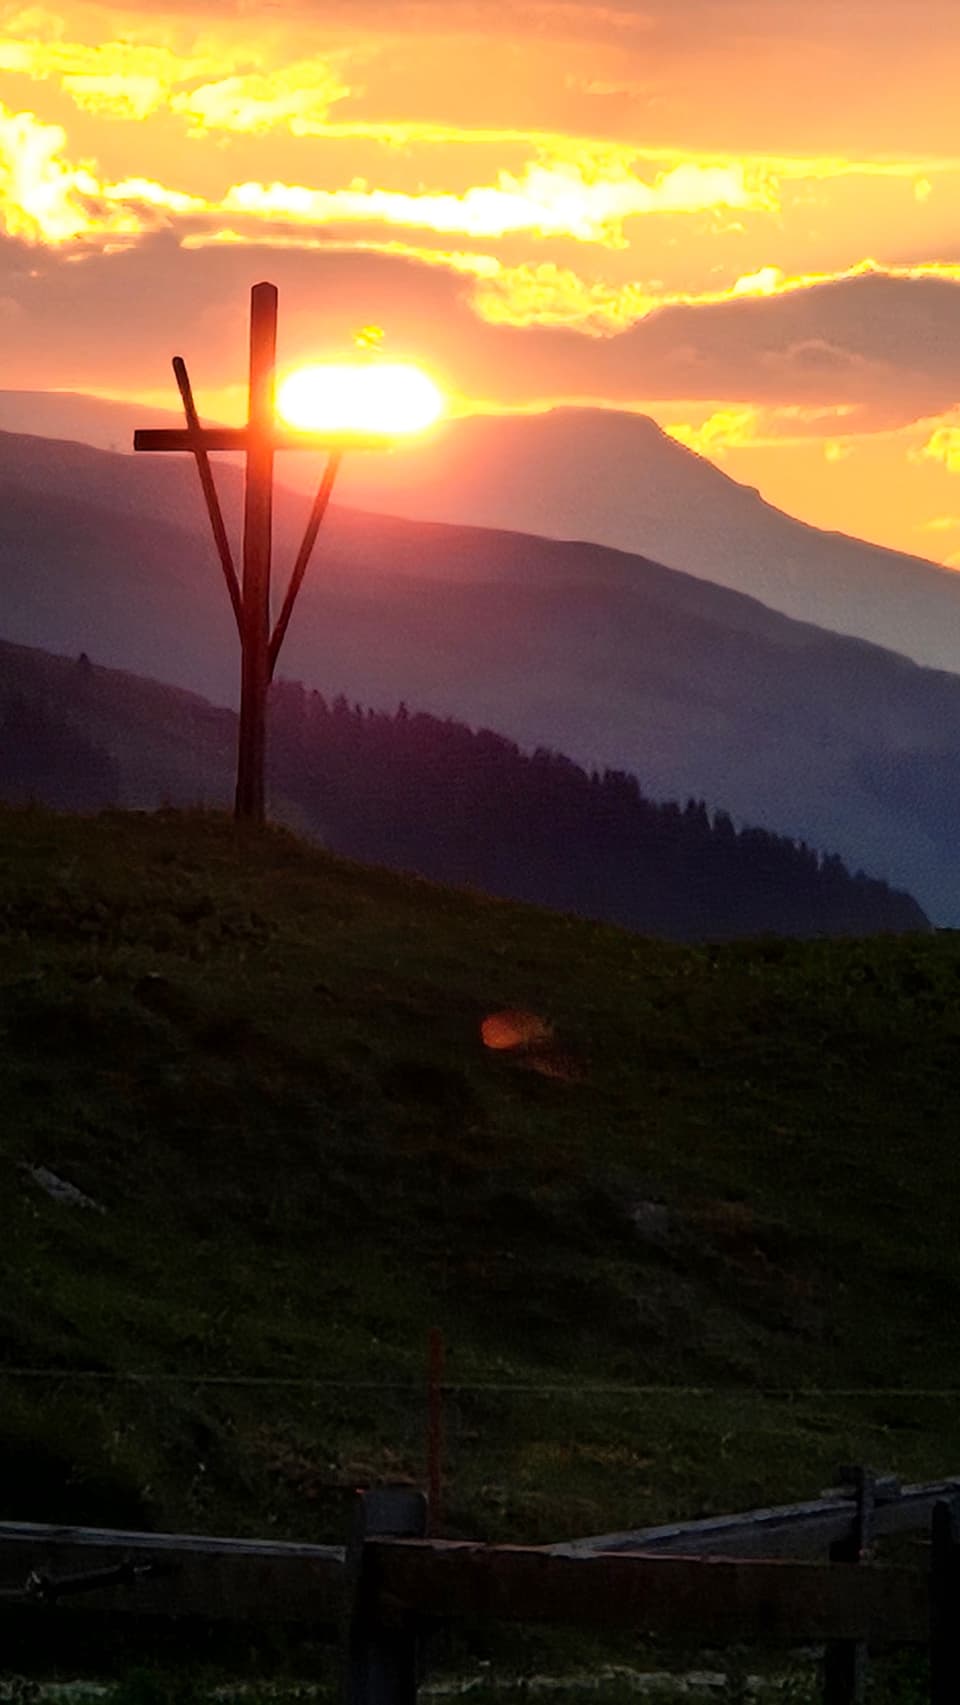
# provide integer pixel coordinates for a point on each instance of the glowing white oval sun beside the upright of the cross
(379, 398)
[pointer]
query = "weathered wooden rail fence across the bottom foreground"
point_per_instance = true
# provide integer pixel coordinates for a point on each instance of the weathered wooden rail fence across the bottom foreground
(794, 1576)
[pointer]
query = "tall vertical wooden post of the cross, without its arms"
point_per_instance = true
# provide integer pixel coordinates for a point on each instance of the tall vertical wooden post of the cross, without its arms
(258, 538)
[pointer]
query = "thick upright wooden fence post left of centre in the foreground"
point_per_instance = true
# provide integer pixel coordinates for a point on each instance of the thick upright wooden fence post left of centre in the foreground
(381, 1662)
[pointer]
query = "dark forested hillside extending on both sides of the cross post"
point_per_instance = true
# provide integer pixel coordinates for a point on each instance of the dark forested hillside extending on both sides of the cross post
(432, 797)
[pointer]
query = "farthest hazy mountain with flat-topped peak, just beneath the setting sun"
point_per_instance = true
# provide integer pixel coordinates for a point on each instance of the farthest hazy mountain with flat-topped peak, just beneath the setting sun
(618, 480)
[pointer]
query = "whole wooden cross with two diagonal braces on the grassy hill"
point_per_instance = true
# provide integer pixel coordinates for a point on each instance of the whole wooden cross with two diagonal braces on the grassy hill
(250, 596)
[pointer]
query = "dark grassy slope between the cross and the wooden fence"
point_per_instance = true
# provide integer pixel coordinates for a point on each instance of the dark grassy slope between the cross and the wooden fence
(732, 1170)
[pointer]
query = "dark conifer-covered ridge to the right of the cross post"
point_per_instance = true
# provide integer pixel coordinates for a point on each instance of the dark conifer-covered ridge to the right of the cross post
(431, 795)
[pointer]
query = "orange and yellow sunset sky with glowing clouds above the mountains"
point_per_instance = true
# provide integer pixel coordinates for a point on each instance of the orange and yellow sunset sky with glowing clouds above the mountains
(737, 216)
